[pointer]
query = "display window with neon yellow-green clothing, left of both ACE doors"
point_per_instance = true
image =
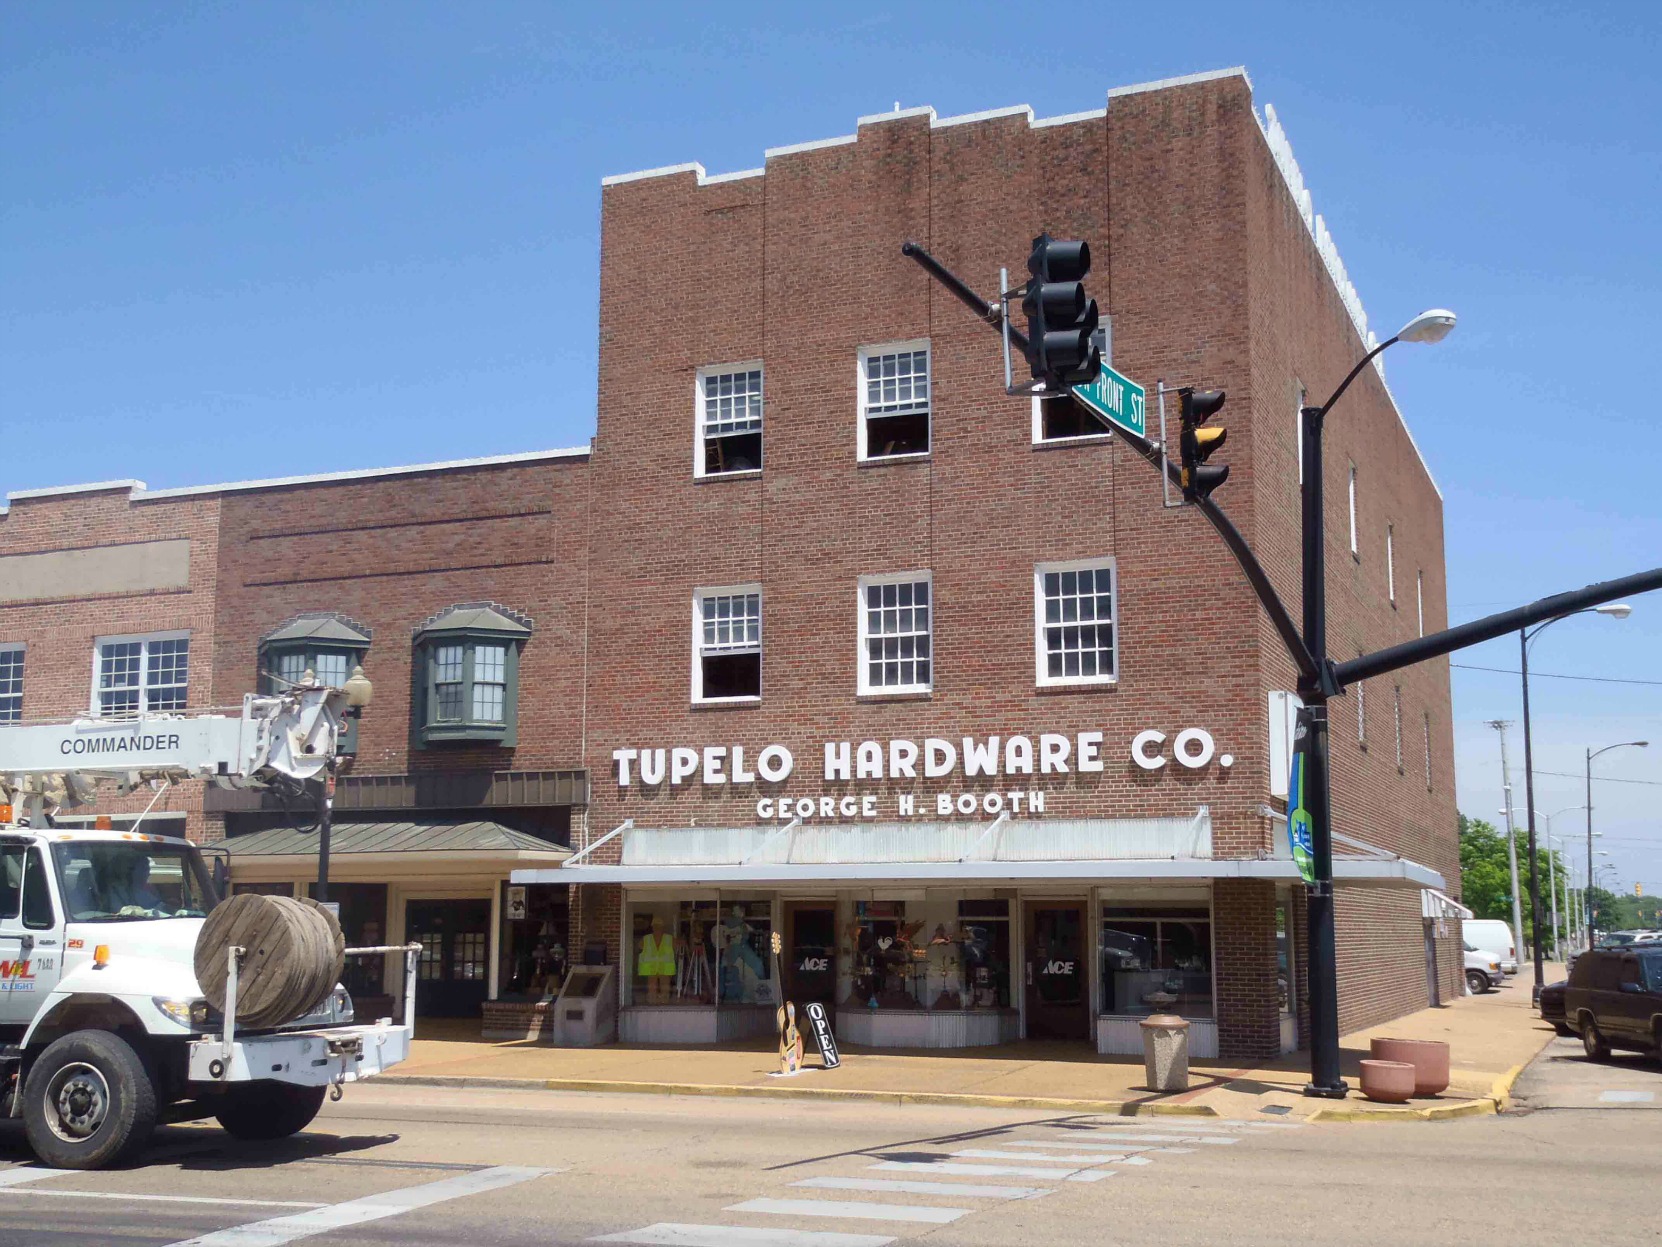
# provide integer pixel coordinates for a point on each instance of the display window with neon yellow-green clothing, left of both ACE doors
(702, 952)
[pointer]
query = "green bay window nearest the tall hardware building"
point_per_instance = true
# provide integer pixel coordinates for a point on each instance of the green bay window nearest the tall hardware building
(468, 676)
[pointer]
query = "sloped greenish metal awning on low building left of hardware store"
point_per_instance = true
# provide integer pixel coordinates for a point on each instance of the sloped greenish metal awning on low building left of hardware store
(438, 840)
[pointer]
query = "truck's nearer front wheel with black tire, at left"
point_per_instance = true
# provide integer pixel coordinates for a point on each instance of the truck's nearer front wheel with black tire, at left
(89, 1102)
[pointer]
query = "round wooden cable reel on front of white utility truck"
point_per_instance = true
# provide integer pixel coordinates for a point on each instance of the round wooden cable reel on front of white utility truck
(293, 962)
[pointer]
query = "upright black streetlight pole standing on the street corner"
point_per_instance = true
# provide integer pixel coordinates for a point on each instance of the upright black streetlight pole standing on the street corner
(1319, 797)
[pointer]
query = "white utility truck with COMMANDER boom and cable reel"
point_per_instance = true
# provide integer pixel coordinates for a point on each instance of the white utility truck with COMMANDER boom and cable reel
(106, 1028)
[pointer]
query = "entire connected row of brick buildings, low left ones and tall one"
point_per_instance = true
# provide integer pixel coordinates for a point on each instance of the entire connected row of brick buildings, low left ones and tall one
(830, 638)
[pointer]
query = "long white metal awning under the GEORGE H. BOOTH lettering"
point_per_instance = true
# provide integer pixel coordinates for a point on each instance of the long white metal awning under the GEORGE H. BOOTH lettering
(1003, 850)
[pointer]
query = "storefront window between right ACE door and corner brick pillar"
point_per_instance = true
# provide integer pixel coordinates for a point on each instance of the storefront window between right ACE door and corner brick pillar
(1156, 962)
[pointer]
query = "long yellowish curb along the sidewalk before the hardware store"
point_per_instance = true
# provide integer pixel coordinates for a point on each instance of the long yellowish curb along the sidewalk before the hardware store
(842, 1095)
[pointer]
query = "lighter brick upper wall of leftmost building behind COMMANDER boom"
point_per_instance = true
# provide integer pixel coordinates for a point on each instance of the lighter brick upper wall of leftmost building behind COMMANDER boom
(59, 624)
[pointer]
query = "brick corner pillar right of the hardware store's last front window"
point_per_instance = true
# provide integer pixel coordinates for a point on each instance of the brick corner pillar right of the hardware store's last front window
(1244, 977)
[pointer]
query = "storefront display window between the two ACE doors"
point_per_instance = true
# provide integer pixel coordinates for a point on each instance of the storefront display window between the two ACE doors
(932, 955)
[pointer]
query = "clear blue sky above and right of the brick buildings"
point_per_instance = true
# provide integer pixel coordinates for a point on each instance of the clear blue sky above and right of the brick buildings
(258, 240)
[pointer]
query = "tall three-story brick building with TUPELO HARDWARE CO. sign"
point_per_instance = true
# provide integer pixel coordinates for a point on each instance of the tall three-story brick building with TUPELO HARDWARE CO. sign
(1025, 729)
